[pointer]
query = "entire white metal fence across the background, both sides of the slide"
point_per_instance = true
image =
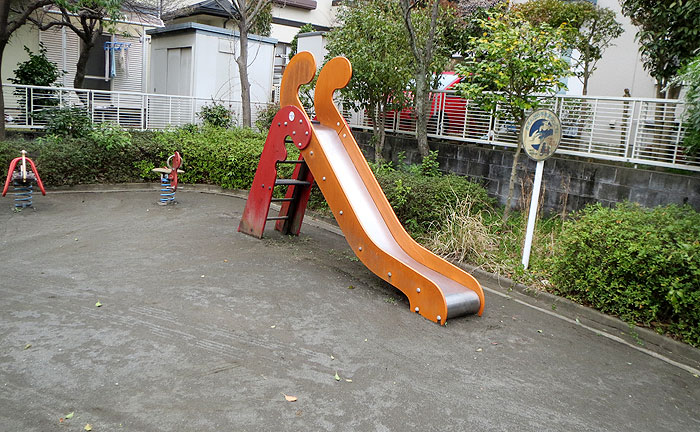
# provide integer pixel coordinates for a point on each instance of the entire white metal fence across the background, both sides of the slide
(639, 131)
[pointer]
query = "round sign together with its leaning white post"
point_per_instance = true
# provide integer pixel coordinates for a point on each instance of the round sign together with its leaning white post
(540, 137)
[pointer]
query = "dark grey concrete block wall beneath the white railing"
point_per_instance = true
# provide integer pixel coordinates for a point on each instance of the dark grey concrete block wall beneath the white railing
(569, 183)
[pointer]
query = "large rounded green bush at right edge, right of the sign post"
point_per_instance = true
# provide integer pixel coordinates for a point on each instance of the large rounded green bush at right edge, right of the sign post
(640, 264)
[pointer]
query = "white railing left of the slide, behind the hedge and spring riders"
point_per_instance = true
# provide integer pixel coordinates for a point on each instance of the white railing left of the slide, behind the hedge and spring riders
(30, 107)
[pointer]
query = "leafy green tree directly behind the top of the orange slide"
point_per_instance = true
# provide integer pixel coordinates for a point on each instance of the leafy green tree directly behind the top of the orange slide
(371, 35)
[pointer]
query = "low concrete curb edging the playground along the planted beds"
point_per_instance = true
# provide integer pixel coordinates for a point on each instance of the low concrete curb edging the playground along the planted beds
(637, 337)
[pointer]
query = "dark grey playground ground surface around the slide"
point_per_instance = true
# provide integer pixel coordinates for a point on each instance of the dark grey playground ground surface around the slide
(203, 328)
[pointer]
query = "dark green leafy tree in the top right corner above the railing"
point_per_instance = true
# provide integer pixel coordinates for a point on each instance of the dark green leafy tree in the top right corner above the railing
(669, 34)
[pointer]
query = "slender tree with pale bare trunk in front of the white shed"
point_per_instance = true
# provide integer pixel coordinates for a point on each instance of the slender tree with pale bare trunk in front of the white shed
(248, 16)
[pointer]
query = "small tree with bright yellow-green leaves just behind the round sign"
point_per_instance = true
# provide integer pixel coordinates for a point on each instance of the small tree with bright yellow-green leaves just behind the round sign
(515, 64)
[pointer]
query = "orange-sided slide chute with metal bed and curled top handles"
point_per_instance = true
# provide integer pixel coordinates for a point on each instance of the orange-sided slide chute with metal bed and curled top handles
(435, 288)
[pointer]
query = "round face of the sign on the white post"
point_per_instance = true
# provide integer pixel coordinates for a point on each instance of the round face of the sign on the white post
(541, 134)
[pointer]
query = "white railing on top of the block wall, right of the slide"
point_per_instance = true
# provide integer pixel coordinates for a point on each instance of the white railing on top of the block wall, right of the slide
(634, 130)
